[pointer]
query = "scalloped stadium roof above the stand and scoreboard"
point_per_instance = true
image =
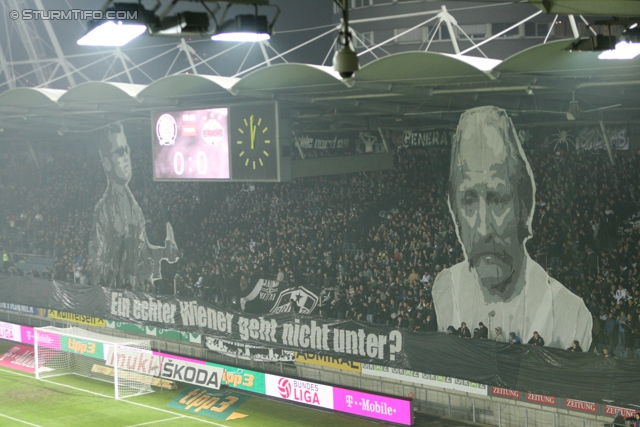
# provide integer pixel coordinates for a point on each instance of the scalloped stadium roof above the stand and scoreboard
(399, 90)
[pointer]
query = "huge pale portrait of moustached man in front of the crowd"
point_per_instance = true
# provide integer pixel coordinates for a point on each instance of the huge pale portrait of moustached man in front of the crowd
(491, 198)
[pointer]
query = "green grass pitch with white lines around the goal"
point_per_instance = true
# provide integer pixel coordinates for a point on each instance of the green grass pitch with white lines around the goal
(81, 402)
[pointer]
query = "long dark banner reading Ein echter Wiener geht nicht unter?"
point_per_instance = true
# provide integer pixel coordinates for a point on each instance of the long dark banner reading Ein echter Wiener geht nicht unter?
(541, 370)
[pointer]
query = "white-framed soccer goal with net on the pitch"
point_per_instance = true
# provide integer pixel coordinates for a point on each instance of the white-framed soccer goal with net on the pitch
(128, 364)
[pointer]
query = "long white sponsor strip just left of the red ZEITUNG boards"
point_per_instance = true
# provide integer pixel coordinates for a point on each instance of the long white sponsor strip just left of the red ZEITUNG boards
(425, 379)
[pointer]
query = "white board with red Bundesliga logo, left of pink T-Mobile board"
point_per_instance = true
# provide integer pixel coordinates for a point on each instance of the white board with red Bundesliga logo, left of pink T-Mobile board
(299, 391)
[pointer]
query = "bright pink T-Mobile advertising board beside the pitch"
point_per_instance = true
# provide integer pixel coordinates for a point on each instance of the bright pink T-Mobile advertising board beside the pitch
(369, 405)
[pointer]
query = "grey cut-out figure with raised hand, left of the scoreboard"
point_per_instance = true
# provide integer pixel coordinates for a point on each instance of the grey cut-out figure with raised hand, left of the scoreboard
(120, 254)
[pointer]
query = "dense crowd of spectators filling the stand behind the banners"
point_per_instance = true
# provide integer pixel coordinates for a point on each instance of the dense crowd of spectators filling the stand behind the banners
(373, 242)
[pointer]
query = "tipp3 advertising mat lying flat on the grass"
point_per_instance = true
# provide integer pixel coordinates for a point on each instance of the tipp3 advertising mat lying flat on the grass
(220, 405)
